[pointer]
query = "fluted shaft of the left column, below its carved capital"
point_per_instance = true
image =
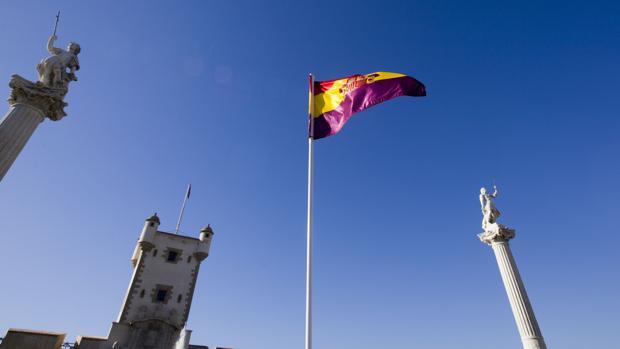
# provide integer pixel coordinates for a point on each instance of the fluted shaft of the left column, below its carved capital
(15, 129)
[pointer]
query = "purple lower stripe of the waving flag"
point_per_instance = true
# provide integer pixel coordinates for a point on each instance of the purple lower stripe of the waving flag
(365, 97)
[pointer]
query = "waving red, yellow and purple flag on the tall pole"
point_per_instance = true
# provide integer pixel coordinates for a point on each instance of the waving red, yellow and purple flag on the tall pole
(336, 100)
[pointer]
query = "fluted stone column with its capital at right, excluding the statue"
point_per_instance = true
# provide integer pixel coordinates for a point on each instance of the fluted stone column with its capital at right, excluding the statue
(497, 237)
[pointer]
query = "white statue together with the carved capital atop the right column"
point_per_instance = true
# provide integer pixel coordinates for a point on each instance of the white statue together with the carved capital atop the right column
(492, 230)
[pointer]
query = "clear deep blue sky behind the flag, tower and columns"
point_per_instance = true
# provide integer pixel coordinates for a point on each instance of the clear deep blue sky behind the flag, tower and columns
(215, 93)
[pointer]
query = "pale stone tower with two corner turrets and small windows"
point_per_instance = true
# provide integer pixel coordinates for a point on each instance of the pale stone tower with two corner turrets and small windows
(159, 297)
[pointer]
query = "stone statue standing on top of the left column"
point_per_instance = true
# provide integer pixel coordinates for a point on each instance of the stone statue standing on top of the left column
(59, 69)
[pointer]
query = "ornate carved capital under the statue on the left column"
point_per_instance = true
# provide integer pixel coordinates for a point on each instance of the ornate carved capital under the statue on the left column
(49, 100)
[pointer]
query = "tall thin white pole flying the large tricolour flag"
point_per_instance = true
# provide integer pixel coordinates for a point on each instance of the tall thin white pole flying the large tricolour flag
(309, 219)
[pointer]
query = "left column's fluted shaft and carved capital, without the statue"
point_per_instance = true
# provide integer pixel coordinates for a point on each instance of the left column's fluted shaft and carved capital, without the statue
(29, 103)
